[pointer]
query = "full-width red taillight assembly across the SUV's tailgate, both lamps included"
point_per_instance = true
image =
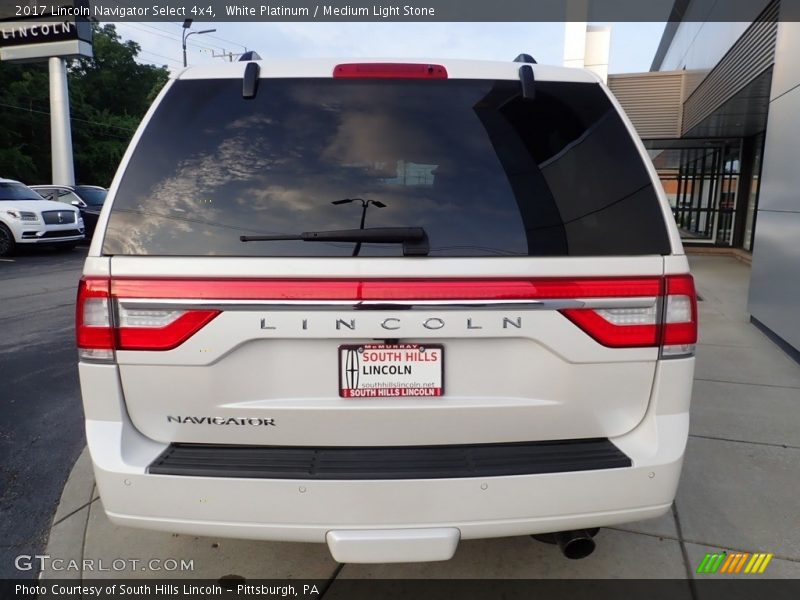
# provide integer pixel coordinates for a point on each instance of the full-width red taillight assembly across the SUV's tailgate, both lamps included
(620, 312)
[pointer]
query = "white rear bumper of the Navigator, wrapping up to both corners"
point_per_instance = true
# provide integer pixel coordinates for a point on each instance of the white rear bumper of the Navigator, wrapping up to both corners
(305, 510)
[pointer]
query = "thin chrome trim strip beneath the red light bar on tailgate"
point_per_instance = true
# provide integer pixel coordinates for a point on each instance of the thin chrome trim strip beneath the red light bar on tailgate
(430, 305)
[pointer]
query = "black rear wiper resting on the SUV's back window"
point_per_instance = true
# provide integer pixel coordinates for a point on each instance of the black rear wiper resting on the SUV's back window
(414, 239)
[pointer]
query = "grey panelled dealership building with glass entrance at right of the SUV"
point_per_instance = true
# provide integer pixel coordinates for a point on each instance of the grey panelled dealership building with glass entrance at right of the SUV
(719, 113)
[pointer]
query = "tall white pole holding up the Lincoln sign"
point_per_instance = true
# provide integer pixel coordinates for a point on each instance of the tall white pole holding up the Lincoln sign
(60, 130)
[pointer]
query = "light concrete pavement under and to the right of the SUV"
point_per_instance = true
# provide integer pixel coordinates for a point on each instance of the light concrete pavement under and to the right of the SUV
(738, 490)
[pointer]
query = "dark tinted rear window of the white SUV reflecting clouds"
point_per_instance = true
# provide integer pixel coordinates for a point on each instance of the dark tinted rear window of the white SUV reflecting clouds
(482, 170)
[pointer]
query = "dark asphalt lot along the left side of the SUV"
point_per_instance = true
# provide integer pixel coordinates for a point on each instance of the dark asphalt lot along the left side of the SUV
(41, 417)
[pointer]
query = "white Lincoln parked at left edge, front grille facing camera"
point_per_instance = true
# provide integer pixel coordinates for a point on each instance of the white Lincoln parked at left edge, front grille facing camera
(27, 218)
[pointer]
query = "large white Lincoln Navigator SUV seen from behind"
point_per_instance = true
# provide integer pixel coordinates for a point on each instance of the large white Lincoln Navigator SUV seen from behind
(386, 306)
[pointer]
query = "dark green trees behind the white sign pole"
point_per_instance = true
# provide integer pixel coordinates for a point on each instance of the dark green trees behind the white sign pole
(109, 95)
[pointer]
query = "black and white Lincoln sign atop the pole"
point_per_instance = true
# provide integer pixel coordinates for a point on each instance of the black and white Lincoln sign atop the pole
(45, 35)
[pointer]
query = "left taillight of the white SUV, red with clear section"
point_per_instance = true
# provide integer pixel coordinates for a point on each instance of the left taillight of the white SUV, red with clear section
(98, 335)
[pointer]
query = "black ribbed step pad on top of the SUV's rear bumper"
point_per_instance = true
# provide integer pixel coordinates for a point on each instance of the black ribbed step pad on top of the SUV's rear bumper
(390, 462)
